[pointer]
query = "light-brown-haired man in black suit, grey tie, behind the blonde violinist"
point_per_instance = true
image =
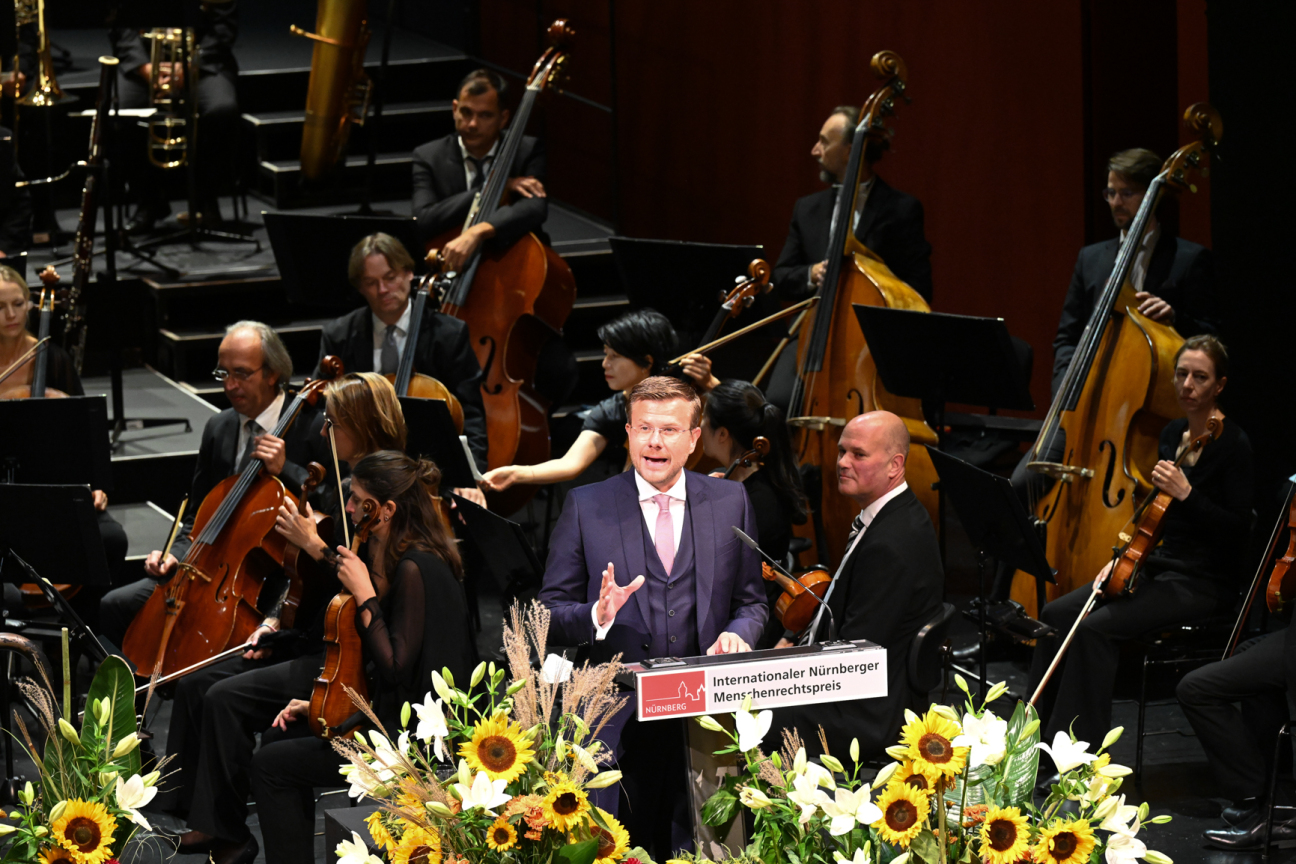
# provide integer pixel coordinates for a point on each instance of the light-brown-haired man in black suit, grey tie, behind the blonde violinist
(374, 337)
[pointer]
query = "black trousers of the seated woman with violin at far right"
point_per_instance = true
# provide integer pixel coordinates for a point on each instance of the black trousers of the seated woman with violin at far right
(1083, 687)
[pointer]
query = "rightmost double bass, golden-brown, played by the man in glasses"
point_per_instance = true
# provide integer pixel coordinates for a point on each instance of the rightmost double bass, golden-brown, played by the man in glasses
(1114, 401)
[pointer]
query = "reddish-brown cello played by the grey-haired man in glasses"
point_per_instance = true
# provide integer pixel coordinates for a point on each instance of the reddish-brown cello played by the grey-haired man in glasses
(209, 604)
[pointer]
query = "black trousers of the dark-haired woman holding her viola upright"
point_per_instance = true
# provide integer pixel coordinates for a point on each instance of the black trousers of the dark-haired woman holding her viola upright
(284, 775)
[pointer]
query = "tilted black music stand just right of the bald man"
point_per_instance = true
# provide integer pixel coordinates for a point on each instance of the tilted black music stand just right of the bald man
(997, 525)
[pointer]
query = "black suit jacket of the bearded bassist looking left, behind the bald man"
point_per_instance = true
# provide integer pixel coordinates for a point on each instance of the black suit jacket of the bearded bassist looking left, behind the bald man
(891, 226)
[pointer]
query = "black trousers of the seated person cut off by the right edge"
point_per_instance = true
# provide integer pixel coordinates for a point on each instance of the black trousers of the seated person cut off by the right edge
(1240, 744)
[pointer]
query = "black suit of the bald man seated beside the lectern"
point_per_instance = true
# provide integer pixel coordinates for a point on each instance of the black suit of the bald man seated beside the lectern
(891, 587)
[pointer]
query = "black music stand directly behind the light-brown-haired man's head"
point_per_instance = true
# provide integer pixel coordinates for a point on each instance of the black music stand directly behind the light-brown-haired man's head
(313, 252)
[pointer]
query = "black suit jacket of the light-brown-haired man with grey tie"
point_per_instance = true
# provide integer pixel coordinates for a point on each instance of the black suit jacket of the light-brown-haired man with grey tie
(443, 353)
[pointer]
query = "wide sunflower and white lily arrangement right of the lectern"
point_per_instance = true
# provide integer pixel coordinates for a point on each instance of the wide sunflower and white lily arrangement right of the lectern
(960, 791)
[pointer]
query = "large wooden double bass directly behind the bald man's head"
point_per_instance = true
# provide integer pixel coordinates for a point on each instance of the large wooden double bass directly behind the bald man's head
(837, 375)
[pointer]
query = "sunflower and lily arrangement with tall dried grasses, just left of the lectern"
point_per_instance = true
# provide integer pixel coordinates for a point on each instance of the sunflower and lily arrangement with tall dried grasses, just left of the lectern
(527, 753)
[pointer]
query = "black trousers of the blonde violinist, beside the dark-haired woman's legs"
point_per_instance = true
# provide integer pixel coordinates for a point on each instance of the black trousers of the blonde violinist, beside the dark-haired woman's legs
(214, 726)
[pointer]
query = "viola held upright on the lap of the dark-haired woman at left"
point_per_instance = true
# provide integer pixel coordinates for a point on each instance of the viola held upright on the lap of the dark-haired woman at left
(344, 652)
